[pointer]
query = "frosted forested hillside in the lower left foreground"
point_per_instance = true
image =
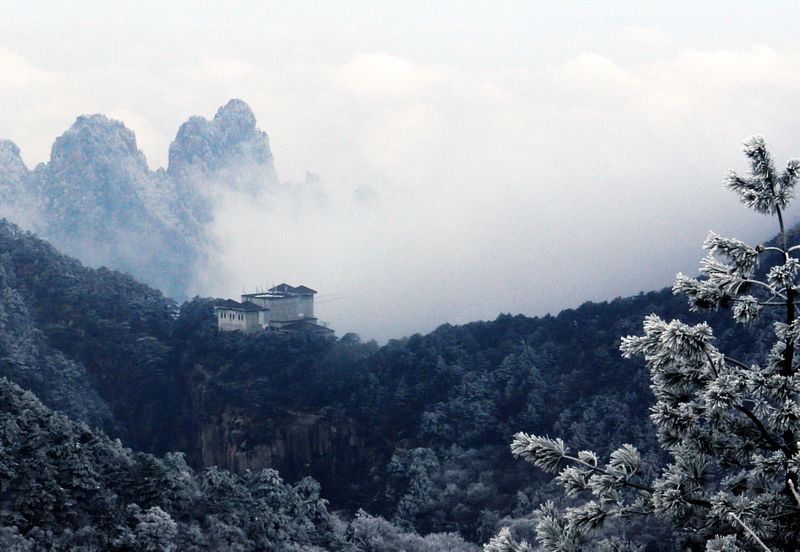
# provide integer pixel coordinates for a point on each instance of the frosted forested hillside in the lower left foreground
(64, 486)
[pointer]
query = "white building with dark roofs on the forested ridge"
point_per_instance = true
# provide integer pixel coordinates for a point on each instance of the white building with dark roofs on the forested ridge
(284, 307)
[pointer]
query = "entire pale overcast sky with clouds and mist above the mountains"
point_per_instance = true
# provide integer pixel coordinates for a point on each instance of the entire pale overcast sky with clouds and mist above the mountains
(529, 156)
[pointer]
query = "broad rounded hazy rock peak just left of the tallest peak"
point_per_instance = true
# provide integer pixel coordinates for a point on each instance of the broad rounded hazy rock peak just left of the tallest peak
(103, 205)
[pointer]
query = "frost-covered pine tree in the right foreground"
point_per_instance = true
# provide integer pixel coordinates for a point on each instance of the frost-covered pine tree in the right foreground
(730, 427)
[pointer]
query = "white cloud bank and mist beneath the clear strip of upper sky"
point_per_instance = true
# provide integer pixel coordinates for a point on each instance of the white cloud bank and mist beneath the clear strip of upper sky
(523, 187)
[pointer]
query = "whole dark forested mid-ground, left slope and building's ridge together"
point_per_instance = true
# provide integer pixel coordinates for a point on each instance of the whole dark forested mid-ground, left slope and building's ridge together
(416, 430)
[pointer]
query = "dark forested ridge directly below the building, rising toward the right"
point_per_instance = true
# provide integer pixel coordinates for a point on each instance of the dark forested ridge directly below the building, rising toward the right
(432, 415)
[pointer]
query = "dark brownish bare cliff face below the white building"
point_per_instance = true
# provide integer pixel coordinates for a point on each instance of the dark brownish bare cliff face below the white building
(325, 443)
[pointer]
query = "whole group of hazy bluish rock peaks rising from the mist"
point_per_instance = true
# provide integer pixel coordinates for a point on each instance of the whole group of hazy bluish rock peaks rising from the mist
(97, 199)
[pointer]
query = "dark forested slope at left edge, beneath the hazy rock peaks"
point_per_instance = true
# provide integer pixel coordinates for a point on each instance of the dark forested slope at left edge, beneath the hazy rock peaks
(95, 340)
